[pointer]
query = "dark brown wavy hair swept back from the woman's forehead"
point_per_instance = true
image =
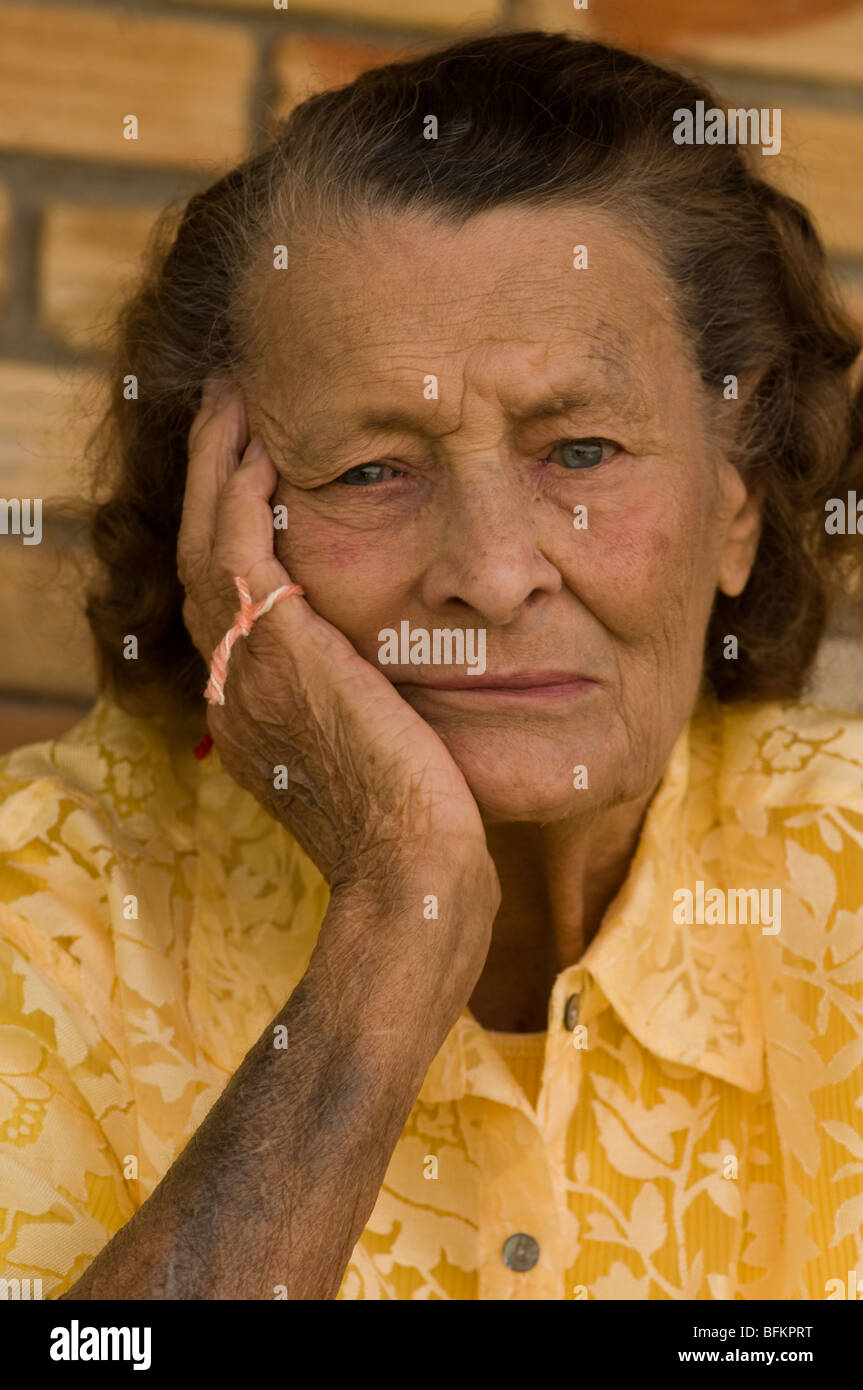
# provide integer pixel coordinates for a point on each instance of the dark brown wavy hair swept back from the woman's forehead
(525, 119)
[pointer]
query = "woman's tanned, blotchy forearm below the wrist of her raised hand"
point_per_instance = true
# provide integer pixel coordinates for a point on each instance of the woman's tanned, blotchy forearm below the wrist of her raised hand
(277, 1185)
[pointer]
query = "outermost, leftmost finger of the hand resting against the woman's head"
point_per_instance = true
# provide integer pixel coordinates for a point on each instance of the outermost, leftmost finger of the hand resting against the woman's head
(216, 440)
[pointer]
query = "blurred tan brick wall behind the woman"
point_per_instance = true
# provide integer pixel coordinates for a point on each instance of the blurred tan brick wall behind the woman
(206, 80)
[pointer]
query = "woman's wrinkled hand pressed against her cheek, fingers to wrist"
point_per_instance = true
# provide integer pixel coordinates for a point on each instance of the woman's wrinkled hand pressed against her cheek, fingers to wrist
(370, 785)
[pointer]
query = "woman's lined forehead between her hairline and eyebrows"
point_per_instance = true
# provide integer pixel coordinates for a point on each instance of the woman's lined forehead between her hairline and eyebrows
(513, 286)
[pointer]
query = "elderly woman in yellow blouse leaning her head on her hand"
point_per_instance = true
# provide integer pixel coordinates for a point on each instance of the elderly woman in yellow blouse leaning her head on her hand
(507, 943)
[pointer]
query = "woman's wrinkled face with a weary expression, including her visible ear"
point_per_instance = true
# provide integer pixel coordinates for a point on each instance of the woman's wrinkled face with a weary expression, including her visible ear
(476, 437)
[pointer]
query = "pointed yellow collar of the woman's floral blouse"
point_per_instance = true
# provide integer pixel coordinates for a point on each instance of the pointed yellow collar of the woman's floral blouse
(687, 993)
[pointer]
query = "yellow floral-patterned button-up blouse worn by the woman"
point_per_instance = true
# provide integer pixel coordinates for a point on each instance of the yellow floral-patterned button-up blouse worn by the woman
(691, 1125)
